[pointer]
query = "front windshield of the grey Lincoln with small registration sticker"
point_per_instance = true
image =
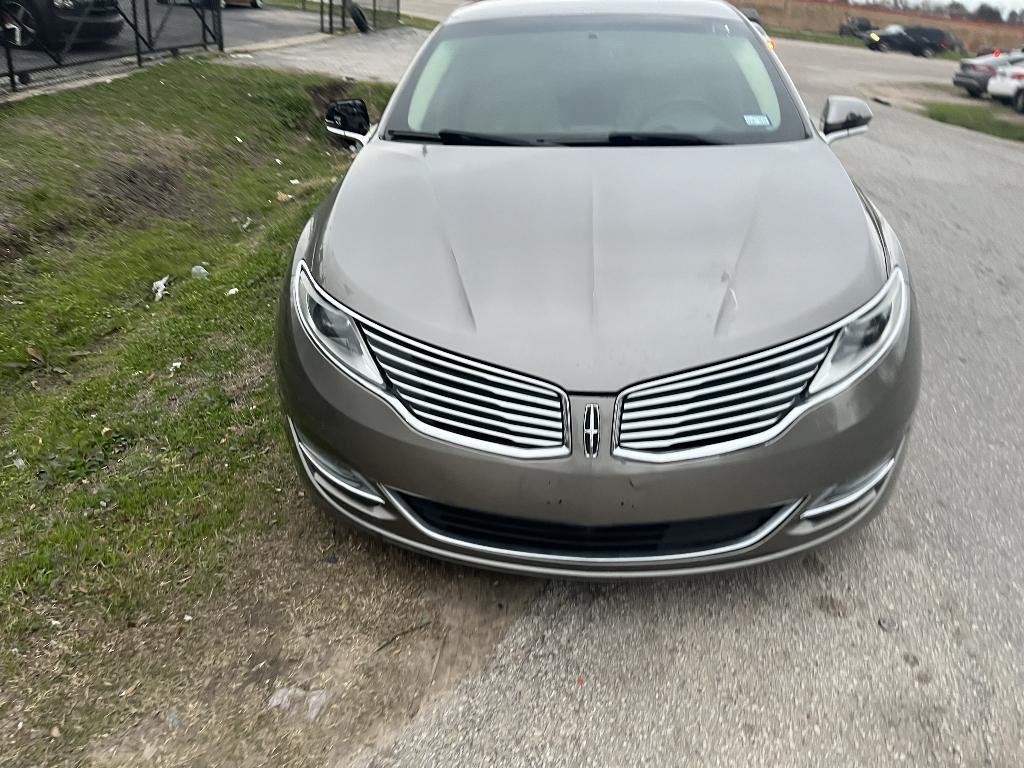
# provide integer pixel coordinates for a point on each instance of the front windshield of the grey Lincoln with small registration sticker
(594, 80)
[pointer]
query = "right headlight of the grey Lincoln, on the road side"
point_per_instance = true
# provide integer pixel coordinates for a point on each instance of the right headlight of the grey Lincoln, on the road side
(866, 338)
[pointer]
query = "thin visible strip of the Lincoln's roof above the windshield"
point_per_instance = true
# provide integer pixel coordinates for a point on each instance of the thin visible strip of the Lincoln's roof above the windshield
(496, 10)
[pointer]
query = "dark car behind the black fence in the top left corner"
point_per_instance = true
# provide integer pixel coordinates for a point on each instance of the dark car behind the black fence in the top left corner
(54, 24)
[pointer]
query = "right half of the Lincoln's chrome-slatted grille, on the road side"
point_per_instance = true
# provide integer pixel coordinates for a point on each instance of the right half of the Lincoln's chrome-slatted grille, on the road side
(721, 407)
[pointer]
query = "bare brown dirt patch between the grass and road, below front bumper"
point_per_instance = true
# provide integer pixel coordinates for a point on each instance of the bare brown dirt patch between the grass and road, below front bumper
(323, 645)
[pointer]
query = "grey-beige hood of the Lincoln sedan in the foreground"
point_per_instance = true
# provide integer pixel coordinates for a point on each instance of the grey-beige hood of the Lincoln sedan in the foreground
(598, 268)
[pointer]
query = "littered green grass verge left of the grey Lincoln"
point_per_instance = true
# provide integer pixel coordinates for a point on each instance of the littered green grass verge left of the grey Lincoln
(140, 440)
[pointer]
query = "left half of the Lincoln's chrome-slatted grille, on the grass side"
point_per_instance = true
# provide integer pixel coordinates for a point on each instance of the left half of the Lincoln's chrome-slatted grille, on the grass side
(471, 403)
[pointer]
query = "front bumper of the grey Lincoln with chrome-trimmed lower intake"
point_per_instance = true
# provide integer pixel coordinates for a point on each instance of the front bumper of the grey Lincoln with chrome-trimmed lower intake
(787, 489)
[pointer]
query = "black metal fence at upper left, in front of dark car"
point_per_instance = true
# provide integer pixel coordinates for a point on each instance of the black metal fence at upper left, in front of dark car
(46, 35)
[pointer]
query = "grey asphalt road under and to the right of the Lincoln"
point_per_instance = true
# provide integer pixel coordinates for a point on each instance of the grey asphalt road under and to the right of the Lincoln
(901, 645)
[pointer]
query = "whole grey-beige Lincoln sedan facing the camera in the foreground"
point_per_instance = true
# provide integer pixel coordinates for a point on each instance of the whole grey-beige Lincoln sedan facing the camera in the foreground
(637, 320)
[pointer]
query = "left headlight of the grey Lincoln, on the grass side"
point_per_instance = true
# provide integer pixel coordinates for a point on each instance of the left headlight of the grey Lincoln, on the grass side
(332, 329)
